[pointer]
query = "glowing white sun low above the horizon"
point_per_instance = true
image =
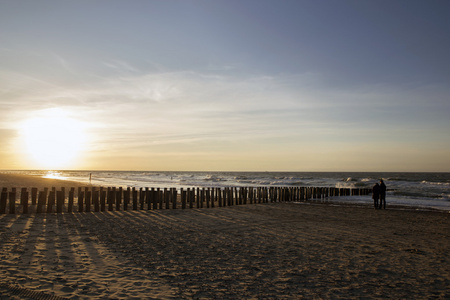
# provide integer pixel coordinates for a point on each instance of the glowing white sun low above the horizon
(53, 139)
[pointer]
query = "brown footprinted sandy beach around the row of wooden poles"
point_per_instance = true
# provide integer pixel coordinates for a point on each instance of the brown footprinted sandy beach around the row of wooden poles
(259, 251)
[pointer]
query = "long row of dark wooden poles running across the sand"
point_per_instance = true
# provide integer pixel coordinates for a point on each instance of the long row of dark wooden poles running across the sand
(116, 199)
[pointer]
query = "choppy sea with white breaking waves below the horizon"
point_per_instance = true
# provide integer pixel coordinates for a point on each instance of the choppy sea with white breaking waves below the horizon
(411, 190)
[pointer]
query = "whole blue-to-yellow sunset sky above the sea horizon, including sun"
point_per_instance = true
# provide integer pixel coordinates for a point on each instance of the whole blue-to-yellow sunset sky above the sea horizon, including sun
(225, 85)
